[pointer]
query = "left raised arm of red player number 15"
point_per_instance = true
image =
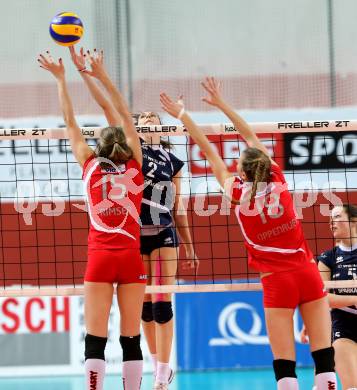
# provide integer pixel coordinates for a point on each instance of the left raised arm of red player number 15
(80, 149)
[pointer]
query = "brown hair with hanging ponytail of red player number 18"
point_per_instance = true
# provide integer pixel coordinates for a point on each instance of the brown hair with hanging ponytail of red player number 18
(256, 165)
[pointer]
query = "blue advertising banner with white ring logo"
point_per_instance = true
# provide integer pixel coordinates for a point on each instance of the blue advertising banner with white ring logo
(226, 330)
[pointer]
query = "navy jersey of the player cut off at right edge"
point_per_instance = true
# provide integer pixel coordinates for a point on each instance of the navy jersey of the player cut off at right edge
(343, 265)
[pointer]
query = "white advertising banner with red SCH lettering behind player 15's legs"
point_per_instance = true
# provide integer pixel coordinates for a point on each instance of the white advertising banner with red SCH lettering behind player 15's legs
(39, 335)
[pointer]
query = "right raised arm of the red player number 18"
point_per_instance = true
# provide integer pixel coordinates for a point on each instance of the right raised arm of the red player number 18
(215, 99)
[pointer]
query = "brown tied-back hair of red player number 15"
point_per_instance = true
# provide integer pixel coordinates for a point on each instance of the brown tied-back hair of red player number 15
(113, 146)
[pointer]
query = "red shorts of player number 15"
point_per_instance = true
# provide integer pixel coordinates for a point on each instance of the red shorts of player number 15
(122, 266)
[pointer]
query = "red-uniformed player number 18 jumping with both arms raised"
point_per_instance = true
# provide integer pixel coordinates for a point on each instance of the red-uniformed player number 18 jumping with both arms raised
(275, 244)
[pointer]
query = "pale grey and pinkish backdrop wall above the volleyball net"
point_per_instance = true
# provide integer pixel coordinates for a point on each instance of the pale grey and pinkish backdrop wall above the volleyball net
(302, 60)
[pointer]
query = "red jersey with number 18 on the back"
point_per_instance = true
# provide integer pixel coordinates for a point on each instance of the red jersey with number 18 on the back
(273, 234)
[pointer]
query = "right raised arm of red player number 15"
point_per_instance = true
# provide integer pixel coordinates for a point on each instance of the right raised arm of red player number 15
(98, 71)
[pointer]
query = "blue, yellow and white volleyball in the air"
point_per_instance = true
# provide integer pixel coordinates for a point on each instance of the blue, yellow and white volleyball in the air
(66, 28)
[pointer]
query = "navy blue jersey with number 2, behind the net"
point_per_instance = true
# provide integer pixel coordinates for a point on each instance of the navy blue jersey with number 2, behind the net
(159, 167)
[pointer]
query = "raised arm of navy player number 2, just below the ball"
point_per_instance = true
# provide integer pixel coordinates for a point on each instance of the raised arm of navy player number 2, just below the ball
(79, 60)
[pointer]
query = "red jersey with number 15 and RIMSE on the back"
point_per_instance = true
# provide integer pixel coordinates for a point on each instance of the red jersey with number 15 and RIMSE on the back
(114, 196)
